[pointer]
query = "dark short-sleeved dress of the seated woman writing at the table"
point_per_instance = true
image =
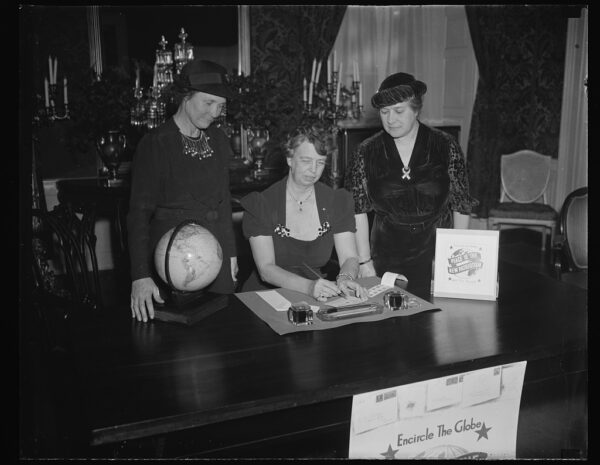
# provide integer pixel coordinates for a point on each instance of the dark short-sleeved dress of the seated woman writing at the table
(264, 215)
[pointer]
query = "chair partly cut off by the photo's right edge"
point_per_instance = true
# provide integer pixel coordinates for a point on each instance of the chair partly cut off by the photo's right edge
(570, 250)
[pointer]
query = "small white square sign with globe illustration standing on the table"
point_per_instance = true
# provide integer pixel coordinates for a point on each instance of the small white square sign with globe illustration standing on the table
(466, 264)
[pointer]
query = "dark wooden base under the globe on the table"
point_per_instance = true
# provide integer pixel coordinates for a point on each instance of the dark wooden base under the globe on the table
(189, 307)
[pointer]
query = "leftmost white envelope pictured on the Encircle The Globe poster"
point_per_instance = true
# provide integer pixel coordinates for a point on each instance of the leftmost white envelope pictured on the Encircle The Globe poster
(374, 409)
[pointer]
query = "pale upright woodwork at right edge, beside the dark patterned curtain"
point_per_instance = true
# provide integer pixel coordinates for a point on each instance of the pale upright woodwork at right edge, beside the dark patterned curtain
(572, 171)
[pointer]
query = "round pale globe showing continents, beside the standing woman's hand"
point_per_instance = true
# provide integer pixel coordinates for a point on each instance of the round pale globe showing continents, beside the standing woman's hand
(194, 257)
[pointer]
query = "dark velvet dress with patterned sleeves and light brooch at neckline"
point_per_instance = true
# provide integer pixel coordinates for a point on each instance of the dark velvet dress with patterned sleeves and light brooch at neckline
(408, 211)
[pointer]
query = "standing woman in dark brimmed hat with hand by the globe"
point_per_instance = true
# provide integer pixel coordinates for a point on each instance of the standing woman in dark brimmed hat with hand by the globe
(180, 171)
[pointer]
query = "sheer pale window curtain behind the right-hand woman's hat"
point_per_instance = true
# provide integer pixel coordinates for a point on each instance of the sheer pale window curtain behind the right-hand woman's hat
(388, 39)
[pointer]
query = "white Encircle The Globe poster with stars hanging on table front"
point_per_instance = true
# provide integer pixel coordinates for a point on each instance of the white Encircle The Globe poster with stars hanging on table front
(468, 415)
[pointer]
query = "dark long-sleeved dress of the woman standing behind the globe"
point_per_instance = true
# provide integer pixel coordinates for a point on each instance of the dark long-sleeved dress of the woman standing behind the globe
(169, 187)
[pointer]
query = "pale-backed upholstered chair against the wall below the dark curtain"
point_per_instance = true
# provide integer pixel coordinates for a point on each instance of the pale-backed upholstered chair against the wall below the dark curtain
(524, 175)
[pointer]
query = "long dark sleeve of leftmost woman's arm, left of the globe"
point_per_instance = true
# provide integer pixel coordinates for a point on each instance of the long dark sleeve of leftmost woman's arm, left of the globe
(145, 185)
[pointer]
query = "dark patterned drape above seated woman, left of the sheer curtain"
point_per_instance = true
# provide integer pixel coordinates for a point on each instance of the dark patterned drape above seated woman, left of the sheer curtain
(284, 41)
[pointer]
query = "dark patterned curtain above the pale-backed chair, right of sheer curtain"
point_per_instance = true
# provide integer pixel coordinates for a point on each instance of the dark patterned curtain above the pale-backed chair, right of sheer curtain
(520, 52)
